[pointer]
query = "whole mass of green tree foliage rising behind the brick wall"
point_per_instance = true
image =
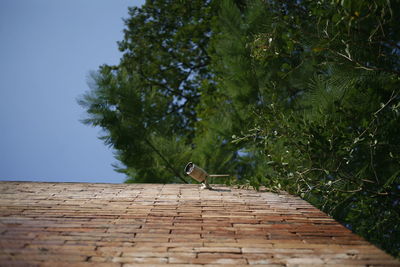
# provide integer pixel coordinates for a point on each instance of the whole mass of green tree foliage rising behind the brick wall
(301, 96)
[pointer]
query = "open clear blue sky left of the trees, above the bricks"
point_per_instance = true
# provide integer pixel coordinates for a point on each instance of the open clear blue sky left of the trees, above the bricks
(47, 49)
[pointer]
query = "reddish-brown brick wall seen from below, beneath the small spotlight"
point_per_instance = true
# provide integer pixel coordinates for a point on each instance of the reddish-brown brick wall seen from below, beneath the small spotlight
(77, 224)
